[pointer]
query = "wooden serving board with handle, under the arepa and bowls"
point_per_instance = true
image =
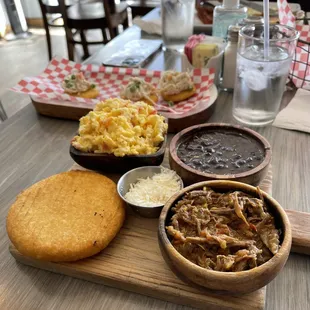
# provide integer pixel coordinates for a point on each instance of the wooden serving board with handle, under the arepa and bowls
(133, 262)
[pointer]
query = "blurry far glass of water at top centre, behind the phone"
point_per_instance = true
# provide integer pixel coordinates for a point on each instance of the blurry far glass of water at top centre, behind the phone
(177, 22)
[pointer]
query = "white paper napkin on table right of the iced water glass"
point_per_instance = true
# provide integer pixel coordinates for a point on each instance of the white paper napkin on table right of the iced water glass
(296, 116)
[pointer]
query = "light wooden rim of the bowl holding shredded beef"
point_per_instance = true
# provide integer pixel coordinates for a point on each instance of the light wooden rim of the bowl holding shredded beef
(220, 275)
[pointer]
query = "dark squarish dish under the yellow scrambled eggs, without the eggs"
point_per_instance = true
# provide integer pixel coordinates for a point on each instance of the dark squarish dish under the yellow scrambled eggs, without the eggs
(112, 163)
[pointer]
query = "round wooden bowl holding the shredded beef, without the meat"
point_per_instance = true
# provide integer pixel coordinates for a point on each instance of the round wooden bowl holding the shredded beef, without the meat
(228, 282)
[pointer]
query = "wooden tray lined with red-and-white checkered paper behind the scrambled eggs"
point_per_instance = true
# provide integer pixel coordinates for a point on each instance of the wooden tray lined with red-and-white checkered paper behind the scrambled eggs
(50, 98)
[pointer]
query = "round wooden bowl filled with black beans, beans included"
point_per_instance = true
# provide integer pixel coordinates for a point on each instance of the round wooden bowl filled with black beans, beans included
(220, 152)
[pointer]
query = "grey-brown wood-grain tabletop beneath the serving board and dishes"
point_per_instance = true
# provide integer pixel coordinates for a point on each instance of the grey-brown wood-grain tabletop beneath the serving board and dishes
(33, 147)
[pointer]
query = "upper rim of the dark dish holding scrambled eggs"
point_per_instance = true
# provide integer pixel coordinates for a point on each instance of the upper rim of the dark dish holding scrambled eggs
(160, 151)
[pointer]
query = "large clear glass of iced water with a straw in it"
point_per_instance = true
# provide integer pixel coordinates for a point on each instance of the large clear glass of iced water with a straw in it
(261, 78)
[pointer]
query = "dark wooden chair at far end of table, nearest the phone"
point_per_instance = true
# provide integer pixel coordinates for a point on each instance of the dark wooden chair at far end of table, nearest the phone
(103, 14)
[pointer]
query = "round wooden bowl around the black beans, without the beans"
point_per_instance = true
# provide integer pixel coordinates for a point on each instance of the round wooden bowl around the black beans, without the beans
(191, 175)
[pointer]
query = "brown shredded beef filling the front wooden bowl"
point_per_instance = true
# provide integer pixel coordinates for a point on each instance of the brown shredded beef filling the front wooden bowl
(223, 232)
